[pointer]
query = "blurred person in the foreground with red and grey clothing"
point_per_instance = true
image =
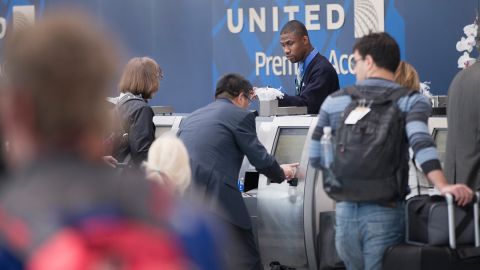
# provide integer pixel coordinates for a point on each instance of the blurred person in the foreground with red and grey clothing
(62, 208)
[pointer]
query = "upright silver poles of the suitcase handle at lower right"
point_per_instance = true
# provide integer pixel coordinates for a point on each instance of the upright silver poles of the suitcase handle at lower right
(451, 220)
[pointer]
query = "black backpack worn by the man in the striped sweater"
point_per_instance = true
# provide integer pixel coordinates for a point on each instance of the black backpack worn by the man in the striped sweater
(371, 160)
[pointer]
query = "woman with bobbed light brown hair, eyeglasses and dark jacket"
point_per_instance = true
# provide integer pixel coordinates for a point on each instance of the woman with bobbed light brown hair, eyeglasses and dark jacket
(136, 131)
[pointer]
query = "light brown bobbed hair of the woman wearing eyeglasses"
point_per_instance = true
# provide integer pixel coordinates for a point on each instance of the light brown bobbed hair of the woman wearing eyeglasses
(140, 77)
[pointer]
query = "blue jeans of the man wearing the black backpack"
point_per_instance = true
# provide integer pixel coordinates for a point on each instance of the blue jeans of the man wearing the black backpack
(365, 230)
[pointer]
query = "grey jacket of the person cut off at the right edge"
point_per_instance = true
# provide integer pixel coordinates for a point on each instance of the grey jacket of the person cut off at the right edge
(462, 163)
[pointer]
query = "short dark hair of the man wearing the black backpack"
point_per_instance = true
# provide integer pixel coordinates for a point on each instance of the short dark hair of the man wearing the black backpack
(382, 48)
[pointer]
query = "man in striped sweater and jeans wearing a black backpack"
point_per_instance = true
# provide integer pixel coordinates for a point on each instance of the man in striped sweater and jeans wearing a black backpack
(374, 122)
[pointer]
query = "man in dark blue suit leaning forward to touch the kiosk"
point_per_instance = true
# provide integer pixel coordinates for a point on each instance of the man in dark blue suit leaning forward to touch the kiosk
(217, 138)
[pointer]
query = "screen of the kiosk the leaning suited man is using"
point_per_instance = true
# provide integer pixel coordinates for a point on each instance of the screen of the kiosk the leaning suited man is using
(289, 146)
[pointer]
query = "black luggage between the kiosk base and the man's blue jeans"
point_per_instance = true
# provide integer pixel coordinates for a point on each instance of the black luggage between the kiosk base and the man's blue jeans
(328, 256)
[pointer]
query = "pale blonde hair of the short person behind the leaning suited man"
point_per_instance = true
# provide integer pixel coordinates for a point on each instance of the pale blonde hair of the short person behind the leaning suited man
(168, 162)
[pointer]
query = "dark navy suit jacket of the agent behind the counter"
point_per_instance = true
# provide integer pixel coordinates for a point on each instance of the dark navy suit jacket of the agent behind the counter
(319, 80)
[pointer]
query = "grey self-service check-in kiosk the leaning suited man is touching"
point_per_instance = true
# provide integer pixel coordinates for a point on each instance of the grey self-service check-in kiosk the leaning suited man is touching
(285, 215)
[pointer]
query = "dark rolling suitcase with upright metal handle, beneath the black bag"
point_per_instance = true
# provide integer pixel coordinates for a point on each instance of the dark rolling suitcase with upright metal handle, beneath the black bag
(416, 257)
